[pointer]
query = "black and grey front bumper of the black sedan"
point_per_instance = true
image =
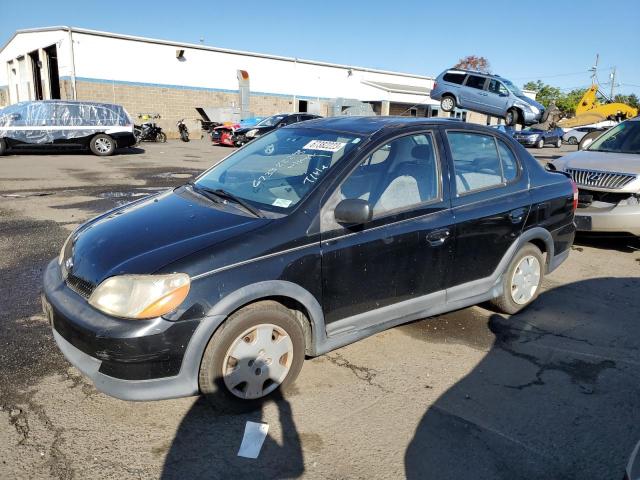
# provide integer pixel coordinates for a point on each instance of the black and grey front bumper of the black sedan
(127, 359)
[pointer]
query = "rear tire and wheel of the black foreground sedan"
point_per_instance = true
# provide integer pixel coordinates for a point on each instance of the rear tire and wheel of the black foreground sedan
(514, 298)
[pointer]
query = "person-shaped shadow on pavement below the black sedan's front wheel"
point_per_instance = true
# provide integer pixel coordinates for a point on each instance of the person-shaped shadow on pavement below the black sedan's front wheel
(207, 441)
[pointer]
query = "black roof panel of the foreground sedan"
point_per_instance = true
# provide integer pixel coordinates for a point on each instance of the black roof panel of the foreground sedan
(371, 125)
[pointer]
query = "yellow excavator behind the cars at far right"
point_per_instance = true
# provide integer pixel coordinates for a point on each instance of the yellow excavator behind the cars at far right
(589, 110)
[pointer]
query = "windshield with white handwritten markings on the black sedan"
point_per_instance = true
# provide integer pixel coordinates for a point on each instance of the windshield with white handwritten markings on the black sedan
(276, 171)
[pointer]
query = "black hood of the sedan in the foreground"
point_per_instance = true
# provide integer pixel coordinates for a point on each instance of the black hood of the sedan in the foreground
(146, 235)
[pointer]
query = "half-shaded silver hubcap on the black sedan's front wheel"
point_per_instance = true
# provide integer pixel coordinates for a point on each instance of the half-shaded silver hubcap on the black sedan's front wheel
(258, 361)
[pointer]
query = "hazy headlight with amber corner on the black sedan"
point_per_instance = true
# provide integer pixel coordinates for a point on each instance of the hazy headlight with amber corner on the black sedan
(141, 296)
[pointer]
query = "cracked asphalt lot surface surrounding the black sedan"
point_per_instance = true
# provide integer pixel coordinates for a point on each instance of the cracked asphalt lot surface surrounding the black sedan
(551, 393)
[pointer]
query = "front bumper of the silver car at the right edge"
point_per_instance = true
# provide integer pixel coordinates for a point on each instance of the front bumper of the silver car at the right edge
(606, 217)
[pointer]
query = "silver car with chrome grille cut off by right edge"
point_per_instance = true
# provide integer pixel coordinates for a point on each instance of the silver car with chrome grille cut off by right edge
(608, 177)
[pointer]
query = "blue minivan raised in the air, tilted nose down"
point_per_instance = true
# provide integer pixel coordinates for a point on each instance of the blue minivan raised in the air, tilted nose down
(488, 94)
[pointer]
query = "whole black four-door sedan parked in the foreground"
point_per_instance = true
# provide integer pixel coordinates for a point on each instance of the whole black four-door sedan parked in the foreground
(223, 285)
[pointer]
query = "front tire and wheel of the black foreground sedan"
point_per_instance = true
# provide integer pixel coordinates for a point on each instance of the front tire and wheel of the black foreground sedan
(240, 333)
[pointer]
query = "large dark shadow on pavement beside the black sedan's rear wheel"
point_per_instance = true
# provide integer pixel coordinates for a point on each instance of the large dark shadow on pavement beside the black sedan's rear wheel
(556, 396)
